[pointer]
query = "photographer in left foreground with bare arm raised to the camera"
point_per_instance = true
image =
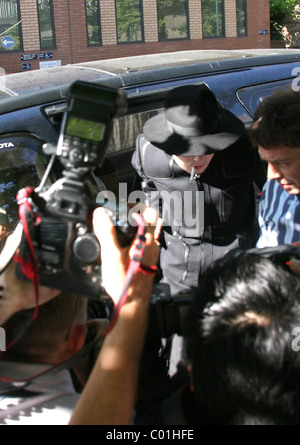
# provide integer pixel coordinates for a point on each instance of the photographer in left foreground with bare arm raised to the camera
(110, 391)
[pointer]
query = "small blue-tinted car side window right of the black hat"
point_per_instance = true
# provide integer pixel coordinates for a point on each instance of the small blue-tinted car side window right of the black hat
(250, 97)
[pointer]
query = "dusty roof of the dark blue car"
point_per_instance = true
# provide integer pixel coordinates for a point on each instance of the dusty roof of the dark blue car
(52, 83)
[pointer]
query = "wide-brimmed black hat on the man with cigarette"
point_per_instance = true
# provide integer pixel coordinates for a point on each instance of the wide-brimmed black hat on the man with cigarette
(193, 123)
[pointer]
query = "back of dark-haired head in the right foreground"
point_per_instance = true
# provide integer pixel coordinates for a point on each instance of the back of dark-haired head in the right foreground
(239, 337)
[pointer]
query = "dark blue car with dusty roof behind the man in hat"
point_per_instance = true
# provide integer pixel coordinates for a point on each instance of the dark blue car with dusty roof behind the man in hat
(32, 107)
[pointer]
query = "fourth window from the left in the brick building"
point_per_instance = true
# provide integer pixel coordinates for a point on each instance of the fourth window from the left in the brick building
(129, 21)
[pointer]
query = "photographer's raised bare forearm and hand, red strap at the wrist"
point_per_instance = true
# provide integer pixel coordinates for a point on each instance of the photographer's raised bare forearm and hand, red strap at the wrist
(116, 370)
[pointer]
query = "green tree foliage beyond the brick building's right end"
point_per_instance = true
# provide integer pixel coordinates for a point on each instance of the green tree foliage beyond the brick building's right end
(280, 10)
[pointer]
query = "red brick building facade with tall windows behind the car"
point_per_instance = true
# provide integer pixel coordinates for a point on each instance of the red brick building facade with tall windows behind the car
(70, 30)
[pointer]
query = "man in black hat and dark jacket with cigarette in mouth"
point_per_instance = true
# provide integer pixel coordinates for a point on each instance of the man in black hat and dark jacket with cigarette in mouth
(197, 160)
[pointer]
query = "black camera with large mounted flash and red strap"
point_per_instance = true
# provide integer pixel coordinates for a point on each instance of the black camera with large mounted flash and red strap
(59, 216)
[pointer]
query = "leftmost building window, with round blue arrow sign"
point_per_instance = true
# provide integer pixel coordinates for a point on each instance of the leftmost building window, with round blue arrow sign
(10, 26)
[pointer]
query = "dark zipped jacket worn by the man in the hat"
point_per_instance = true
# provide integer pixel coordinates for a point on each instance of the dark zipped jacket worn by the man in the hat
(228, 209)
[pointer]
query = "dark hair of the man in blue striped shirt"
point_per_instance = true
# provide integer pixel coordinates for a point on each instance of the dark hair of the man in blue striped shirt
(276, 123)
